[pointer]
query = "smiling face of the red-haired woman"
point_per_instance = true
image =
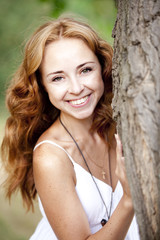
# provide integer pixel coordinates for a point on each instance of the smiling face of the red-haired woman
(71, 74)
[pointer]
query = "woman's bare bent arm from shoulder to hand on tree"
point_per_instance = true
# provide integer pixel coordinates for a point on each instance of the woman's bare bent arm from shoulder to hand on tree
(55, 182)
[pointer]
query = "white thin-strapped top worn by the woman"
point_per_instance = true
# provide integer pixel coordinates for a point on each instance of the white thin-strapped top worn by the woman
(90, 200)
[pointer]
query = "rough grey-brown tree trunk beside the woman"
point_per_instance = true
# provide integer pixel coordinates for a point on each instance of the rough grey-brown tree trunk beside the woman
(136, 104)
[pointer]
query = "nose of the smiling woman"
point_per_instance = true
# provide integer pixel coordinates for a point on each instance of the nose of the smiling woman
(75, 86)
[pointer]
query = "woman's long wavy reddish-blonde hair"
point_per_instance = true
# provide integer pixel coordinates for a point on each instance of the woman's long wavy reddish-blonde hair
(31, 112)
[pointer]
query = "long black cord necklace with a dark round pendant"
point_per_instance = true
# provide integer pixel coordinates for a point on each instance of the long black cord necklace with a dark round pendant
(103, 221)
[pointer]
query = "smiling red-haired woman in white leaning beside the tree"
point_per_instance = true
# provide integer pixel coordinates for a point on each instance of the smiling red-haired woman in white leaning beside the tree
(60, 139)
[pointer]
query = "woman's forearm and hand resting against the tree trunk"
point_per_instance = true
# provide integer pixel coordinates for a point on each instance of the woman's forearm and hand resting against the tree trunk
(118, 225)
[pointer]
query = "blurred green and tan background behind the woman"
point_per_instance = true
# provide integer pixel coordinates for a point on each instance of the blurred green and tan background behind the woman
(18, 19)
